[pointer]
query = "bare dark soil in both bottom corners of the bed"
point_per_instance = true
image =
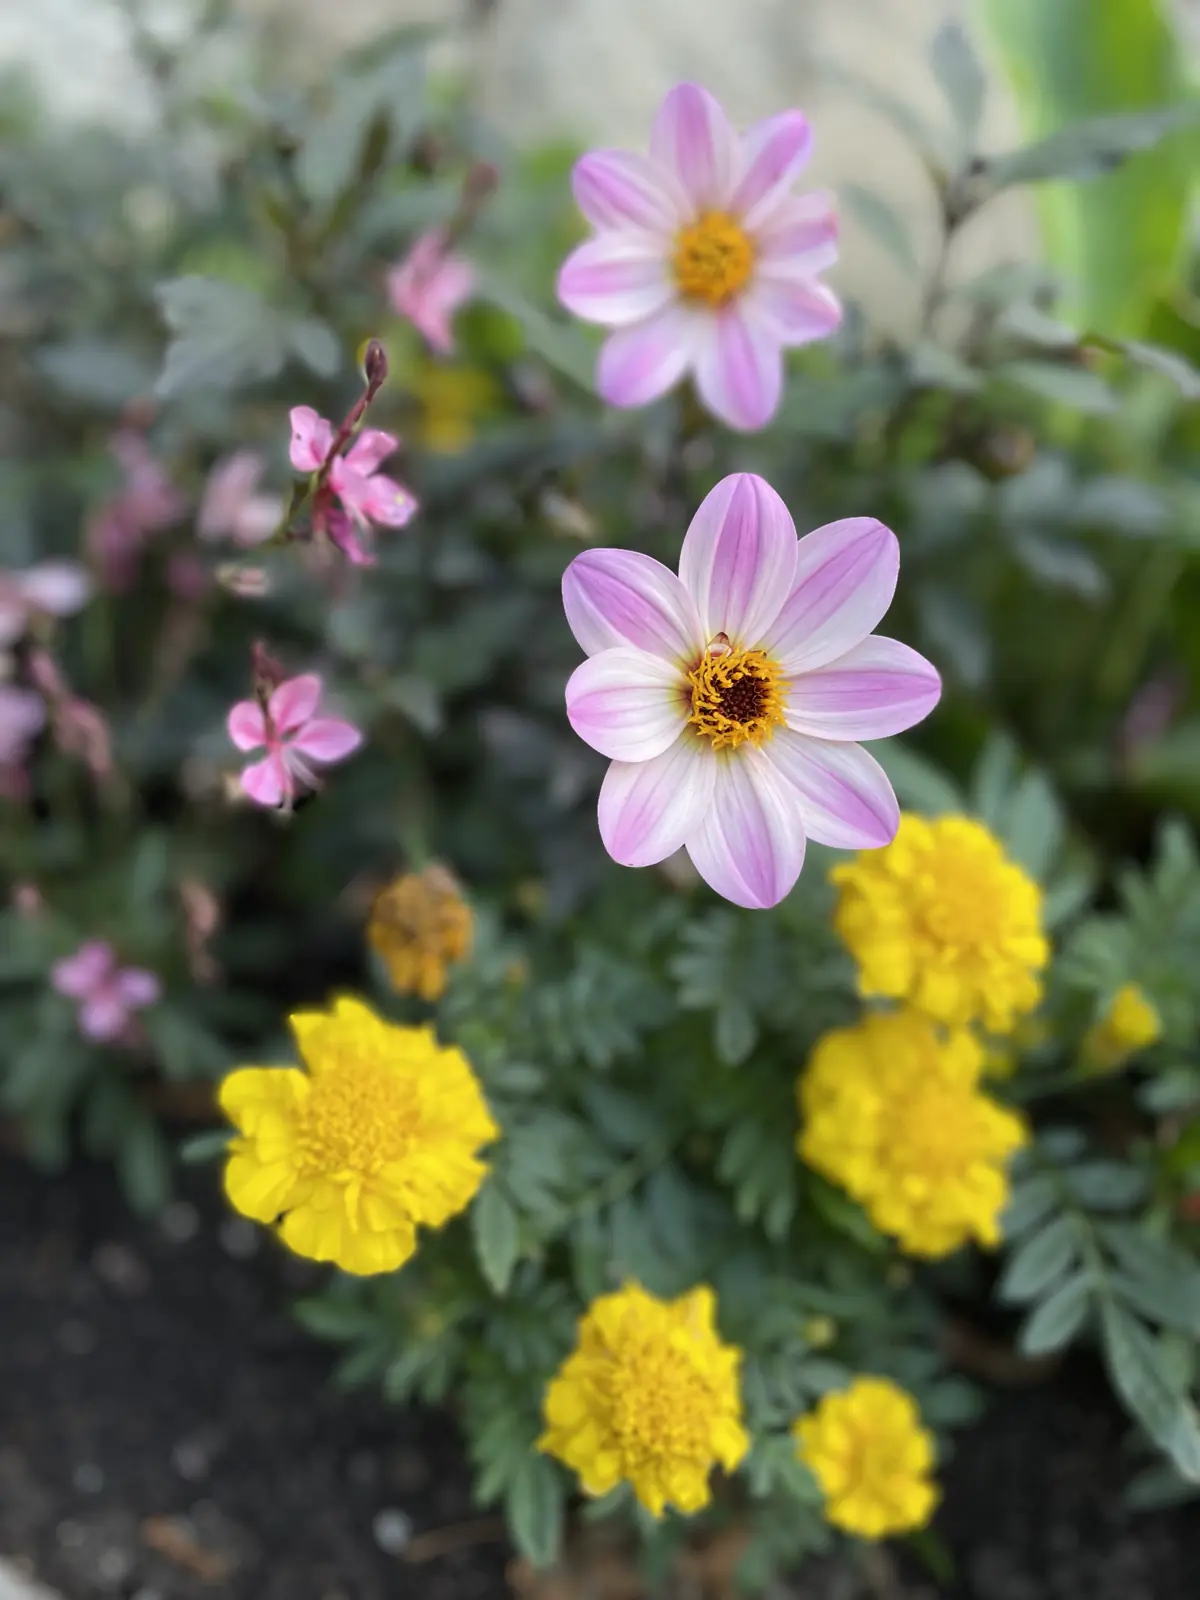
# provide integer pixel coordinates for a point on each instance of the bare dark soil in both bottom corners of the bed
(167, 1433)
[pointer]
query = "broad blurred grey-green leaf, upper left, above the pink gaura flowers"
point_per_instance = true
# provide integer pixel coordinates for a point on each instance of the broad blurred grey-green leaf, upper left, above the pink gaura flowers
(223, 335)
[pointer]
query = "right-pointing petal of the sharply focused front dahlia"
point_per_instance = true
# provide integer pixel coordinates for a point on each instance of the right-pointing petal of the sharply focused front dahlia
(878, 689)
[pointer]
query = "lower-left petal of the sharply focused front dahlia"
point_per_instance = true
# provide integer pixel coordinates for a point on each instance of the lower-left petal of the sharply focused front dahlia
(649, 809)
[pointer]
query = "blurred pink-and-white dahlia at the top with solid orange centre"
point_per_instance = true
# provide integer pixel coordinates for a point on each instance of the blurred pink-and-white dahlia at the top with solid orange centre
(705, 262)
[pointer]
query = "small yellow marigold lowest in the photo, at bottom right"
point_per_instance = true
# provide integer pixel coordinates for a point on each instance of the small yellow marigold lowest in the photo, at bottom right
(873, 1458)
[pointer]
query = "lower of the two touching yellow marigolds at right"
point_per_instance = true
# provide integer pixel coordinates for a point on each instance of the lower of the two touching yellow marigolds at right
(894, 1113)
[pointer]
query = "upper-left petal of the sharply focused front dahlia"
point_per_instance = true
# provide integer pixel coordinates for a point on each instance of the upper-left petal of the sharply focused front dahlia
(625, 598)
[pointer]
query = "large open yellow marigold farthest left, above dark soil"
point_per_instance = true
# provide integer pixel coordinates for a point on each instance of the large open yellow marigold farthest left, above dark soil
(377, 1138)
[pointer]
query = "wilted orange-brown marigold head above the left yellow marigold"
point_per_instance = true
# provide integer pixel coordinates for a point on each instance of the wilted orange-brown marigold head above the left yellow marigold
(420, 926)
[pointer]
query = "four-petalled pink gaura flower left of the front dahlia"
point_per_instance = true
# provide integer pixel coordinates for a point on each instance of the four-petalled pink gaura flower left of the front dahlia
(295, 737)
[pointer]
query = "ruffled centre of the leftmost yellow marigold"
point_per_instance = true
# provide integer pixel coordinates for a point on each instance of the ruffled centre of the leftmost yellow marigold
(359, 1118)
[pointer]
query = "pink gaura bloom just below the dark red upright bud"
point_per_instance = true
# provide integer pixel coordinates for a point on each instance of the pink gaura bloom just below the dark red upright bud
(367, 495)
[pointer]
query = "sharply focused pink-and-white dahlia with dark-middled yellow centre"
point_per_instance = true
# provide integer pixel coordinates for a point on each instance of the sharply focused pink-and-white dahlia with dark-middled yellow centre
(734, 697)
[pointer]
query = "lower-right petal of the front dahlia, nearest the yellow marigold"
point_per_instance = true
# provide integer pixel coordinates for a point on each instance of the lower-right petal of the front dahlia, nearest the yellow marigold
(844, 793)
